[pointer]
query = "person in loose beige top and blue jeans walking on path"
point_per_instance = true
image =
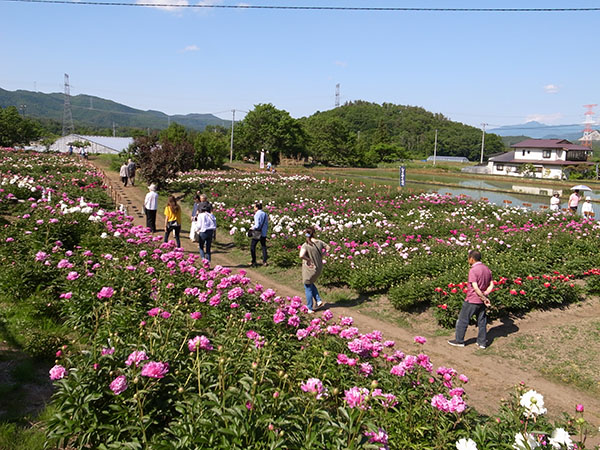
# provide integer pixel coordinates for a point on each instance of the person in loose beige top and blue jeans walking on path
(311, 254)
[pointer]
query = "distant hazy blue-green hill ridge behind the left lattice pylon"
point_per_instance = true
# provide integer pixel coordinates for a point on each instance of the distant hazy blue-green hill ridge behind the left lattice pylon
(98, 112)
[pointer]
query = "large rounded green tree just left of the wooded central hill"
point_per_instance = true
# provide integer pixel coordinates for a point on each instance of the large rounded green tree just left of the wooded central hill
(270, 129)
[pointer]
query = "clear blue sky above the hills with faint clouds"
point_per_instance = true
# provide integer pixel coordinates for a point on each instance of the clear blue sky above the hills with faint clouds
(498, 68)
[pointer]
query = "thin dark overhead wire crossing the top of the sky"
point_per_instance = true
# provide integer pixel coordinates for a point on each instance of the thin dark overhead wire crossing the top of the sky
(309, 8)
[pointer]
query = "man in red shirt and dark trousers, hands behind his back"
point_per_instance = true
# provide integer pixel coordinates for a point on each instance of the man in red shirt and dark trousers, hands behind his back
(479, 287)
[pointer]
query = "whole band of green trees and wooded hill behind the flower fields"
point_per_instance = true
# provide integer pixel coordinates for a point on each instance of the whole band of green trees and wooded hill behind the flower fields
(359, 134)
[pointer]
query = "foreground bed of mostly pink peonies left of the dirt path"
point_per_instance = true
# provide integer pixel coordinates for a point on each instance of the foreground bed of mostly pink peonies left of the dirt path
(164, 352)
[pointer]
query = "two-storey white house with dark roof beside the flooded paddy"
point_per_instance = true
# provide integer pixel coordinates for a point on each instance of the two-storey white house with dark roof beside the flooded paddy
(540, 158)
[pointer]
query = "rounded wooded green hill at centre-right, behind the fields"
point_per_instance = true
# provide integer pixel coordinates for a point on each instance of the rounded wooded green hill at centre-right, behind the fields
(391, 131)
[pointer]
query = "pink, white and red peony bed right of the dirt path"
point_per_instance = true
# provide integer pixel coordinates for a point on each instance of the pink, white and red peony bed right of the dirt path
(403, 245)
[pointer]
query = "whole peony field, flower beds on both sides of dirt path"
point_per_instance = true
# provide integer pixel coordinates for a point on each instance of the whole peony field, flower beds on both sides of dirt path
(157, 350)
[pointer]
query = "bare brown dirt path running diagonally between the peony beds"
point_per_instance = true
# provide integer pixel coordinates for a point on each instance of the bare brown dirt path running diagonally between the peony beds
(491, 377)
